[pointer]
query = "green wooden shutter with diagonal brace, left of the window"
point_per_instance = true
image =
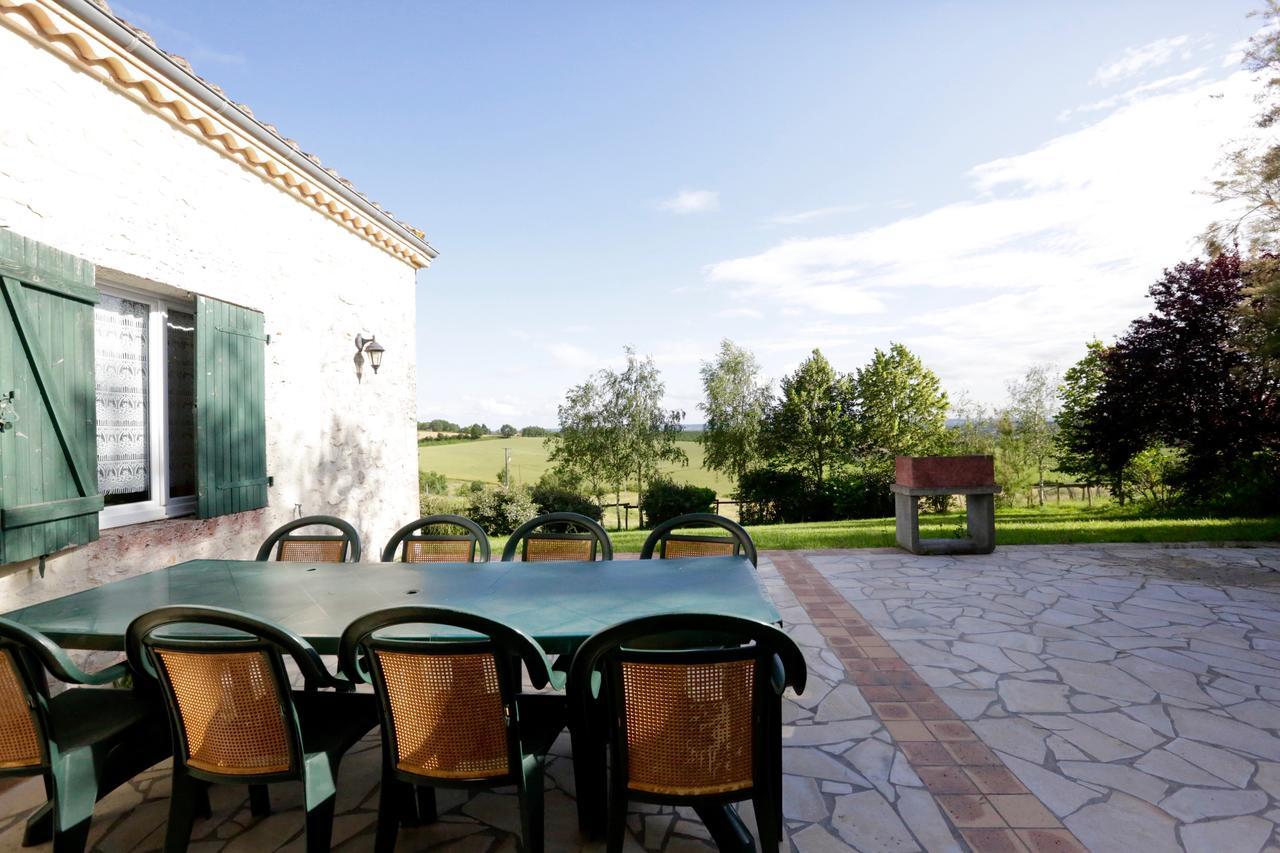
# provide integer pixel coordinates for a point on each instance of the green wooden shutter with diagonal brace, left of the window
(49, 445)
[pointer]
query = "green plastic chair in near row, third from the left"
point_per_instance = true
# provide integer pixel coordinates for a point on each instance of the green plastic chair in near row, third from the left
(454, 714)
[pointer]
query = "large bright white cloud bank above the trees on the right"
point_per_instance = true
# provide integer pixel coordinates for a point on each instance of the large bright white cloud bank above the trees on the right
(1054, 248)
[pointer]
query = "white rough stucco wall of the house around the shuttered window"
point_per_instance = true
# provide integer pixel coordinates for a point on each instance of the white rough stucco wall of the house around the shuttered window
(90, 172)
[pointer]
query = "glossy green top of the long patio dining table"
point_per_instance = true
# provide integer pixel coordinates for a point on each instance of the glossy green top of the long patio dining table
(557, 604)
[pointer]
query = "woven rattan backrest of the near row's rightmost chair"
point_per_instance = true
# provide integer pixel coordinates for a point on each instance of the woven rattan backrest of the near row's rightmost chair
(689, 727)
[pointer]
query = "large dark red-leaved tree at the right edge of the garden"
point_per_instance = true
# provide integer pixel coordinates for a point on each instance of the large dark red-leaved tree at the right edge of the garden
(1180, 377)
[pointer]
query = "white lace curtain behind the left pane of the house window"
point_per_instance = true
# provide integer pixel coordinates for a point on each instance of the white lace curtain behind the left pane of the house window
(121, 353)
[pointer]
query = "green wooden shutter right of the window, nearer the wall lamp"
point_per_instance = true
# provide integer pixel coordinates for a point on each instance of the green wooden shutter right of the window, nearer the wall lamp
(231, 418)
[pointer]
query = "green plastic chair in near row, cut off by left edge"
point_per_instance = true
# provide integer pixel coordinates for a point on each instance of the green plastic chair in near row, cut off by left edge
(85, 743)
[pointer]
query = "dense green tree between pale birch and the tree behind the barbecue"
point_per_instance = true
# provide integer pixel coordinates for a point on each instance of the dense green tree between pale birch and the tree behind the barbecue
(810, 427)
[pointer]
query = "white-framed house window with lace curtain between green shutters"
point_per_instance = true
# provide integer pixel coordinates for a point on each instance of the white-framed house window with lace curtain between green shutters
(145, 380)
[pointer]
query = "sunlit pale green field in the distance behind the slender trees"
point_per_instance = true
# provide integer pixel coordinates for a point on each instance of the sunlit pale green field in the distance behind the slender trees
(482, 460)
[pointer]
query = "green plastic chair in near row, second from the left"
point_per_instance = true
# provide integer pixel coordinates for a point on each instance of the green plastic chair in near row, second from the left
(234, 718)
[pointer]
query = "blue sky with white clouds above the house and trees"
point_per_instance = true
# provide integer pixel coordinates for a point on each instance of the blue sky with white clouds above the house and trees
(990, 184)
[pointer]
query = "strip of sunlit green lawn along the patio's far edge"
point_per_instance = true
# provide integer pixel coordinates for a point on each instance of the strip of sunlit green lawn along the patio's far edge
(1052, 526)
